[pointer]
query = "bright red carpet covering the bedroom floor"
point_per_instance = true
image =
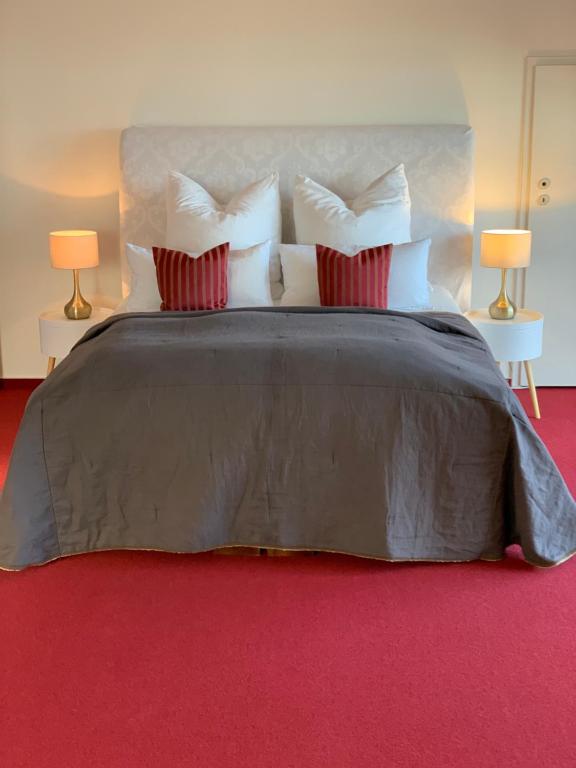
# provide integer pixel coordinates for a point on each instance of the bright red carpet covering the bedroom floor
(141, 660)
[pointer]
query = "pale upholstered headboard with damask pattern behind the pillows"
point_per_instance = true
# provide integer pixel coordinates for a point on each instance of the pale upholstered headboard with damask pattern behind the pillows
(438, 161)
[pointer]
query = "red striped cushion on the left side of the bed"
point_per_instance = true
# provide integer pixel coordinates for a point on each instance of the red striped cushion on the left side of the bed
(190, 283)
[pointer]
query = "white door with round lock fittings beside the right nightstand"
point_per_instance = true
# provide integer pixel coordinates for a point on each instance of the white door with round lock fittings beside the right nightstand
(551, 277)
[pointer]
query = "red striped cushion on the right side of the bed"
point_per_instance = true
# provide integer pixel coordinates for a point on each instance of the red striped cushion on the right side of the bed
(354, 281)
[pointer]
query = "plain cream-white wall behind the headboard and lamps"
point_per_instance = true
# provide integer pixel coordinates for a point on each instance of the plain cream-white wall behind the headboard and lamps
(74, 74)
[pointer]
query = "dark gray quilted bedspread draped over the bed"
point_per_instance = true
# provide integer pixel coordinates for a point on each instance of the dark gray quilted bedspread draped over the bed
(375, 433)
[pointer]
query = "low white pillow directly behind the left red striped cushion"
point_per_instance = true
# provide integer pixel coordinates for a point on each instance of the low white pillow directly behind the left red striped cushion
(248, 281)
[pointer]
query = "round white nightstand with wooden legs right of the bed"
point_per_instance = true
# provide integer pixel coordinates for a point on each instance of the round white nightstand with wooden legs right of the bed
(516, 340)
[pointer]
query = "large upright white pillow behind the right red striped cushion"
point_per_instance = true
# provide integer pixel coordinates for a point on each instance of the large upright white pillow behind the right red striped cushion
(380, 214)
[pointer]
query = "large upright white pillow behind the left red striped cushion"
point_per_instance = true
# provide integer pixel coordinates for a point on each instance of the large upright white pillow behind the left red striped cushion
(196, 222)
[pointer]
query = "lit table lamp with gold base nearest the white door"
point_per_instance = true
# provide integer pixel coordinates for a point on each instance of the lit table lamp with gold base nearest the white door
(505, 249)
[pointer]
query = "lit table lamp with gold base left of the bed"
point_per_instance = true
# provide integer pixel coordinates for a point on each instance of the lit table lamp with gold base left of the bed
(75, 249)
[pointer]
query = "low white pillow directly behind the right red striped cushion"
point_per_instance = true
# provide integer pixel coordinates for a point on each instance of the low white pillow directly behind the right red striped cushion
(408, 287)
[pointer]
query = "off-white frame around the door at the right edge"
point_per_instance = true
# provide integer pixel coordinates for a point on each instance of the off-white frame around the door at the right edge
(531, 62)
